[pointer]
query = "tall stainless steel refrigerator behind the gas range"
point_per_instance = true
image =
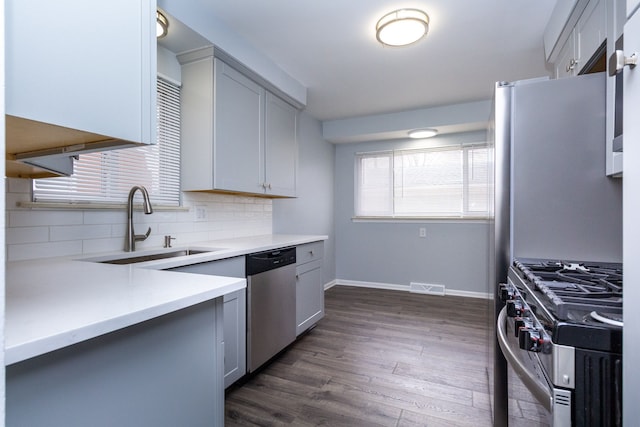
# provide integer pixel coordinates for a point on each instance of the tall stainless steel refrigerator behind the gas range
(552, 197)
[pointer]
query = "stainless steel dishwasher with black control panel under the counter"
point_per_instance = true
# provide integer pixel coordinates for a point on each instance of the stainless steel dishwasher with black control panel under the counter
(271, 304)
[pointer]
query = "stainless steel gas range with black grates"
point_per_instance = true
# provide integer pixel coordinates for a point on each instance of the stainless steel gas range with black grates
(561, 331)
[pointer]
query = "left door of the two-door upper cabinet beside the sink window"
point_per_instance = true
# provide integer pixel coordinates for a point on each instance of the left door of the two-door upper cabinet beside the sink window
(238, 131)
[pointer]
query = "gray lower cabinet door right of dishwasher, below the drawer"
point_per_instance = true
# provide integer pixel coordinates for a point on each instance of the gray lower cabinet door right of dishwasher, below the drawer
(309, 295)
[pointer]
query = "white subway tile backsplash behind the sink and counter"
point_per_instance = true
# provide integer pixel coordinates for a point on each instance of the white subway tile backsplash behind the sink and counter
(40, 233)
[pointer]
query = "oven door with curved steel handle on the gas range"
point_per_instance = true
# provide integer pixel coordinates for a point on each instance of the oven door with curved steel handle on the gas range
(556, 402)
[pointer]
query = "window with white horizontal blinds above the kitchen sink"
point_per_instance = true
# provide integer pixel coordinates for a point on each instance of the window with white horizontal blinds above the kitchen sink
(107, 177)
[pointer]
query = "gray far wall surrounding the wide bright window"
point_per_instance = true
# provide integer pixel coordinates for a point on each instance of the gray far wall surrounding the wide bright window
(454, 253)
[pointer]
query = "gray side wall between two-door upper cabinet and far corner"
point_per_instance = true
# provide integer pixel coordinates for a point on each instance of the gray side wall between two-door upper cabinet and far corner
(312, 211)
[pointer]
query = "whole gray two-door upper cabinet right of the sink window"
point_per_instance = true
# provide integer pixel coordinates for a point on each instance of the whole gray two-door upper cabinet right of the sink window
(237, 136)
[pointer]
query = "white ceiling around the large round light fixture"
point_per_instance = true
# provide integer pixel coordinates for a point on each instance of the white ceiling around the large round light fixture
(330, 47)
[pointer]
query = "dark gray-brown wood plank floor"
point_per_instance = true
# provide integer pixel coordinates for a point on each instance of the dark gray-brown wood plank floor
(381, 358)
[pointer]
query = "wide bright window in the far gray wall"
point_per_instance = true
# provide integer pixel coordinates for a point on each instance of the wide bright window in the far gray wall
(434, 182)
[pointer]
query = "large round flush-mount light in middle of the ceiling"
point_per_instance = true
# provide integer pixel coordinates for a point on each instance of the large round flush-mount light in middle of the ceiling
(402, 27)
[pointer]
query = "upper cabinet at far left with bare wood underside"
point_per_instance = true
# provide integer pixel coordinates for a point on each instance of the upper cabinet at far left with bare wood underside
(70, 89)
